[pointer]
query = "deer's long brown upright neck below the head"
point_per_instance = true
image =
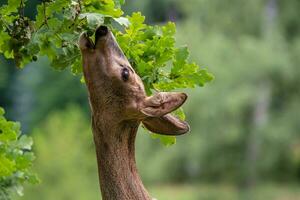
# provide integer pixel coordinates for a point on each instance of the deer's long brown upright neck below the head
(115, 149)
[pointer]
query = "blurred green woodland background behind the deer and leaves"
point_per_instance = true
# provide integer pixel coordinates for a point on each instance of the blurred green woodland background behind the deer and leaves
(245, 138)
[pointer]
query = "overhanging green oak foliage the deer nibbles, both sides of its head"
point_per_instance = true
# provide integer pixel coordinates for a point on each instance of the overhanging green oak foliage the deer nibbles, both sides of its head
(55, 30)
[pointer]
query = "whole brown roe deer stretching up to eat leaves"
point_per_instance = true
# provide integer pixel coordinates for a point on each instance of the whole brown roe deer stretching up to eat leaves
(118, 105)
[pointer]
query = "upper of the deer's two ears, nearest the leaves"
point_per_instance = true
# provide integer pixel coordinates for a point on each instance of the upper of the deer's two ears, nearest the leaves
(163, 103)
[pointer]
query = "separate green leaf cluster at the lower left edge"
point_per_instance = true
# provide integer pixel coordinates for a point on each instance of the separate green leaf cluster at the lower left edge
(15, 158)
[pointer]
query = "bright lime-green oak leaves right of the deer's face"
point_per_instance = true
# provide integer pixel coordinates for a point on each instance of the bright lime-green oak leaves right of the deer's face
(152, 52)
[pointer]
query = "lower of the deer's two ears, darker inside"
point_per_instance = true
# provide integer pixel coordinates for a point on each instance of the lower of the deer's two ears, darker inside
(166, 125)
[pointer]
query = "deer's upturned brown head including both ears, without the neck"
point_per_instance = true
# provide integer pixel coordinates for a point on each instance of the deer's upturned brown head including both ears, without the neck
(117, 92)
